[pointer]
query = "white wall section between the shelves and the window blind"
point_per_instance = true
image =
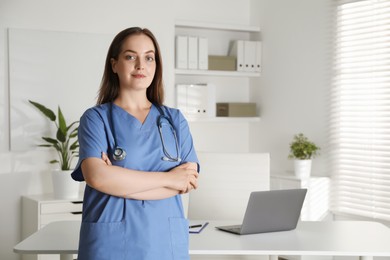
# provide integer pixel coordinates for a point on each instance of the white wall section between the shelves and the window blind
(293, 89)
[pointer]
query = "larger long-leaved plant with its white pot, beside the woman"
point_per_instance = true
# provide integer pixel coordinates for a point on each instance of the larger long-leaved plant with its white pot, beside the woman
(66, 144)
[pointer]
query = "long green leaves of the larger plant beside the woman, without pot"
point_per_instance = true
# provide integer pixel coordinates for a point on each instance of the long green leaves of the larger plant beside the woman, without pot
(65, 142)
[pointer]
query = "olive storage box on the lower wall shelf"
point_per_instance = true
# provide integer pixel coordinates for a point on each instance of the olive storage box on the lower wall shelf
(236, 109)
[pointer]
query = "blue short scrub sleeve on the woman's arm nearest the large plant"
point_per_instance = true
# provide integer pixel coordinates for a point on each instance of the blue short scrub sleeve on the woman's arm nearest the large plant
(92, 139)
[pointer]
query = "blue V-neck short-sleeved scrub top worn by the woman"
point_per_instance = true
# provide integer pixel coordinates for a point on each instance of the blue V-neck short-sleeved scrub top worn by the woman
(119, 228)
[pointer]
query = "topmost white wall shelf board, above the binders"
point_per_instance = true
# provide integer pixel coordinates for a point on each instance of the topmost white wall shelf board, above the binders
(217, 26)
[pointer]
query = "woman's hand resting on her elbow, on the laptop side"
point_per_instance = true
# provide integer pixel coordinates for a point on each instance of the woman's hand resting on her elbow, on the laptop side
(184, 177)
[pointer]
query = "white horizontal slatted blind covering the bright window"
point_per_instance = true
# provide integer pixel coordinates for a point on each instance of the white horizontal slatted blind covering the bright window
(360, 109)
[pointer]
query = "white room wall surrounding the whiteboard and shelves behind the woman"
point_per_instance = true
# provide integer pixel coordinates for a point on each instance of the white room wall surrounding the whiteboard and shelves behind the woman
(292, 91)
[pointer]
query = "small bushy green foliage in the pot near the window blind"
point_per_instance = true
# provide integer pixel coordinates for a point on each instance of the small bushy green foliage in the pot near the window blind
(302, 149)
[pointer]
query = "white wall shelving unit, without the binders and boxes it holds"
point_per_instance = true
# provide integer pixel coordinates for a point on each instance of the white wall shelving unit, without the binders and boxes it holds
(230, 86)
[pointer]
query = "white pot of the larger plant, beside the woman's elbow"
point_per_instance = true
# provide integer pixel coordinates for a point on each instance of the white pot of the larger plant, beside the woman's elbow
(64, 187)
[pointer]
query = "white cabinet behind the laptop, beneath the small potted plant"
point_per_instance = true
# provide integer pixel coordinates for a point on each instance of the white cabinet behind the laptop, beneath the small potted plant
(316, 203)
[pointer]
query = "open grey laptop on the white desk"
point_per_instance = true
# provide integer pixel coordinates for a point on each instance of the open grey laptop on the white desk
(270, 211)
